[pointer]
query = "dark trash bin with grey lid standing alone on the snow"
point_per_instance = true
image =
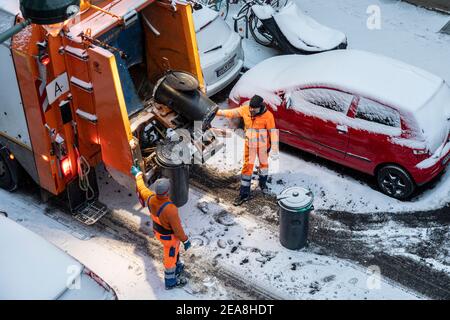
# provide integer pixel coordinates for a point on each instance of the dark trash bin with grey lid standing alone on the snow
(295, 206)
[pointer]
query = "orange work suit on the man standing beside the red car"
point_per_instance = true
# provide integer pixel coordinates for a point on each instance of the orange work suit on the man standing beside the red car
(261, 137)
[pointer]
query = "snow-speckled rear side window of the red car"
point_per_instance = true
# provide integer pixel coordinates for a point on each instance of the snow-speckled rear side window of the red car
(376, 112)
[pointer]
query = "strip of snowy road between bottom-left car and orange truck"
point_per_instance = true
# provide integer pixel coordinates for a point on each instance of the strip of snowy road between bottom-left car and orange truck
(132, 274)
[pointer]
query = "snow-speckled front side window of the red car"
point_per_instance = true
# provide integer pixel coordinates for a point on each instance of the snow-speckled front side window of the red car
(325, 98)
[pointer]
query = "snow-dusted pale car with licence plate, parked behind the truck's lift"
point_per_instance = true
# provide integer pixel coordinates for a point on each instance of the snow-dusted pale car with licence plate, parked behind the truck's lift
(220, 49)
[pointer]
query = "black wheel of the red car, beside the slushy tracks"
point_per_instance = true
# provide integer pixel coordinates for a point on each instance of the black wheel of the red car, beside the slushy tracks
(395, 182)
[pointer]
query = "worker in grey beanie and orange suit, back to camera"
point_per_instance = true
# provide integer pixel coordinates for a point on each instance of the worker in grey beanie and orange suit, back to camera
(166, 226)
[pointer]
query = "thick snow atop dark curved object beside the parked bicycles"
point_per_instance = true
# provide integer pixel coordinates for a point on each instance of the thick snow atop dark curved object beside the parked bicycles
(302, 31)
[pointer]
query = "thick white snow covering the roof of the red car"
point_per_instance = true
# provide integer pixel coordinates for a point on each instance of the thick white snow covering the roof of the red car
(358, 72)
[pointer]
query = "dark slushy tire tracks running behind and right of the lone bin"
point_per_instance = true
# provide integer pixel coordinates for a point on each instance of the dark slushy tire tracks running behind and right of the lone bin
(334, 233)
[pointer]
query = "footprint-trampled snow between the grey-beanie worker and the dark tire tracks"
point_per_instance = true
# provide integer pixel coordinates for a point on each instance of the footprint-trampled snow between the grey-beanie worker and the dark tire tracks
(243, 246)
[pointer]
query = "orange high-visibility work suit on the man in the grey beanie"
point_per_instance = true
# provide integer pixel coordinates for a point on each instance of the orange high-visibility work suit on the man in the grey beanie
(166, 227)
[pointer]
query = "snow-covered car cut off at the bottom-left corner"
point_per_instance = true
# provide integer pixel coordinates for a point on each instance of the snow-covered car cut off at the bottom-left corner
(33, 269)
